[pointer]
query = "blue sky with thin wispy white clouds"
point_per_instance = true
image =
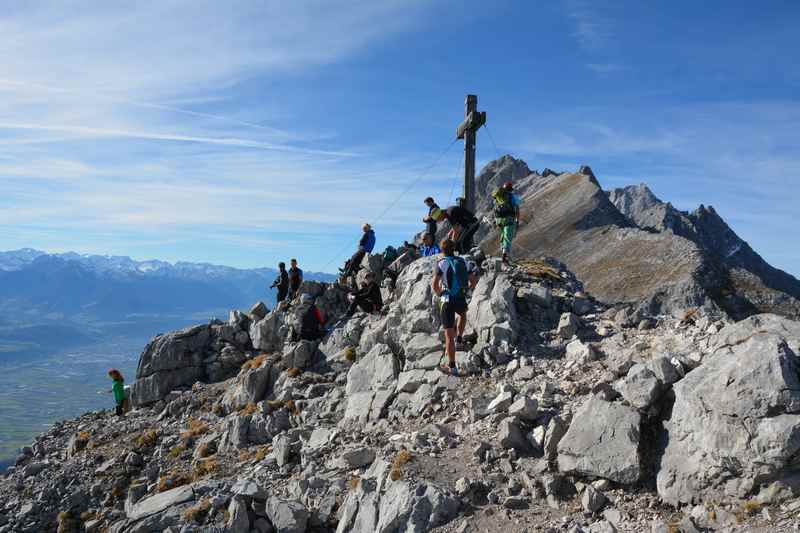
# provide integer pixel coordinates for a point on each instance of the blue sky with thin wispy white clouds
(246, 133)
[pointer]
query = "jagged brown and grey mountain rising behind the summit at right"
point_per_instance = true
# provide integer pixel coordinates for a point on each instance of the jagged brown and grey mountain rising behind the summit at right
(630, 247)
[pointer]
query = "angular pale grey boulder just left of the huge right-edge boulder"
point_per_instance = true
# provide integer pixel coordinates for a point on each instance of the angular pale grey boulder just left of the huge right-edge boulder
(602, 441)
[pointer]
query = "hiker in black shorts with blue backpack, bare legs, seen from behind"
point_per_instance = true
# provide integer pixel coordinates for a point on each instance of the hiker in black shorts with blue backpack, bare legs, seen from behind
(452, 276)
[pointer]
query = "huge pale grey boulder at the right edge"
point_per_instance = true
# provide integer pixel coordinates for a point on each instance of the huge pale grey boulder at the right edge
(736, 419)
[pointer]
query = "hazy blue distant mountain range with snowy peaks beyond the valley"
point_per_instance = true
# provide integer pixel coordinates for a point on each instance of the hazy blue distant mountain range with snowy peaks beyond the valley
(80, 296)
